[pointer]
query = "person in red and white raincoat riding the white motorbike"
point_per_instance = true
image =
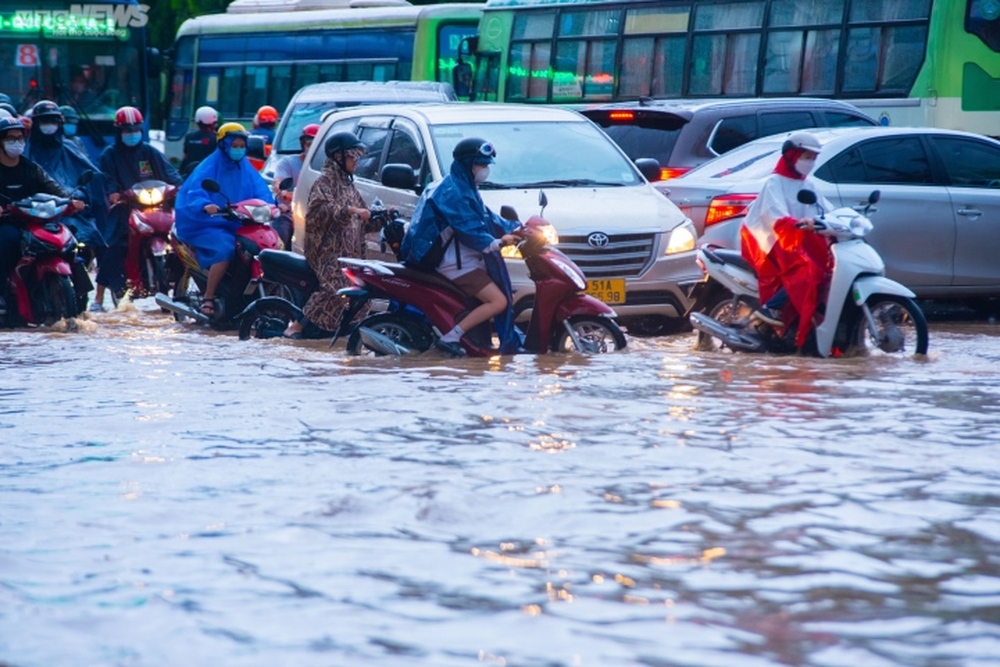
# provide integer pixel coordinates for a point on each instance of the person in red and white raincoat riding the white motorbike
(792, 263)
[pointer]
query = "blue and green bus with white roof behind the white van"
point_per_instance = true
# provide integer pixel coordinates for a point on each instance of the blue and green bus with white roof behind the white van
(262, 51)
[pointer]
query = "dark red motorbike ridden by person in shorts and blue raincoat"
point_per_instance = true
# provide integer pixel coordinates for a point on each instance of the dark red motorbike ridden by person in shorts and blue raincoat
(425, 304)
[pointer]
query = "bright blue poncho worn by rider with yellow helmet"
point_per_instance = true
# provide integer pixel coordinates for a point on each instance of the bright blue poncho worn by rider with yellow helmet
(213, 237)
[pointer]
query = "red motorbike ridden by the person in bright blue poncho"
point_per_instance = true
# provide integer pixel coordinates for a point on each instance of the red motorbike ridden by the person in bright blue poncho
(243, 282)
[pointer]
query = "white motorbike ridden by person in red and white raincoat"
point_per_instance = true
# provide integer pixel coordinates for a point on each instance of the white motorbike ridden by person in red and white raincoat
(864, 310)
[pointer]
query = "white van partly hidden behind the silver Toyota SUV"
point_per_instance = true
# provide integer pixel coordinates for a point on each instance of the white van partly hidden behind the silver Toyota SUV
(312, 102)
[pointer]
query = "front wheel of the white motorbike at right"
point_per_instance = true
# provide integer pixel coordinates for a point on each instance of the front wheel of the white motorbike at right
(901, 326)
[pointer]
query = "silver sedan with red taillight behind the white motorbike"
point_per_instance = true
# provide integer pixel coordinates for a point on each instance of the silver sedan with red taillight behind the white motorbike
(937, 224)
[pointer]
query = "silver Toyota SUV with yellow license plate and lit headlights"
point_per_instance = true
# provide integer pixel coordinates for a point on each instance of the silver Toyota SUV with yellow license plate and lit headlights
(635, 247)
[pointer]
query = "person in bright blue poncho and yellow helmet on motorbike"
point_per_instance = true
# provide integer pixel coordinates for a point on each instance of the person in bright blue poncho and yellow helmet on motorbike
(213, 237)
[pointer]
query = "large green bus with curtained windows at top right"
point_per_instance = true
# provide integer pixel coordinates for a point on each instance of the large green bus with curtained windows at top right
(906, 62)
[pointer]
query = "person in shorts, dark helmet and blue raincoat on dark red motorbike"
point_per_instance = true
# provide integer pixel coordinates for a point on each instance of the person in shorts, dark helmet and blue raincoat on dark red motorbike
(455, 234)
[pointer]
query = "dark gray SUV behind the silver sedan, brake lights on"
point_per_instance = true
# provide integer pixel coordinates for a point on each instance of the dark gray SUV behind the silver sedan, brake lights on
(682, 134)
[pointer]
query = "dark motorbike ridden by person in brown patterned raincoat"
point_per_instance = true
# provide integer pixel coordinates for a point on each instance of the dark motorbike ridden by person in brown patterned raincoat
(268, 317)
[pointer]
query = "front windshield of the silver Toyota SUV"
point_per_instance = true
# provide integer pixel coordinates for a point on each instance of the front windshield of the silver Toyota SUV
(542, 154)
